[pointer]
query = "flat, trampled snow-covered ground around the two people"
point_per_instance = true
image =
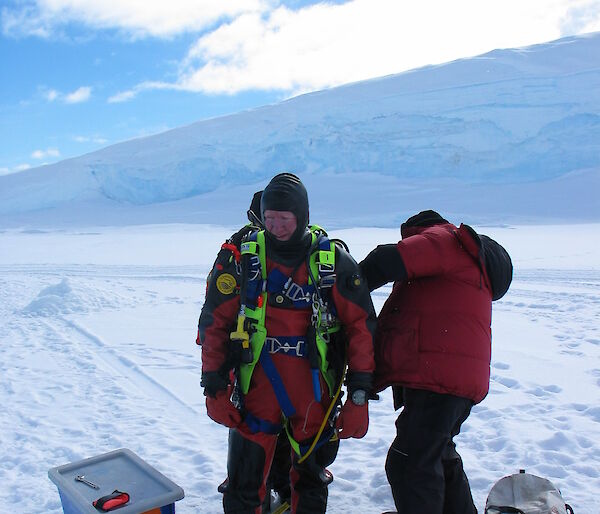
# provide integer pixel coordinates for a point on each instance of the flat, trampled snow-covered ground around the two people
(97, 331)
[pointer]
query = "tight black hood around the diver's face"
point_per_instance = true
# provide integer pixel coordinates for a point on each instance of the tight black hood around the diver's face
(286, 192)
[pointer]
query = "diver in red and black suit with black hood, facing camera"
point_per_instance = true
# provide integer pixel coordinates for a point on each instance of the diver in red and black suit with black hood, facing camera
(288, 281)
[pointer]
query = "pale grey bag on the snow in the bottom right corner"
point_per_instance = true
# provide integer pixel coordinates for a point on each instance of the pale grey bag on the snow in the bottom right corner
(523, 493)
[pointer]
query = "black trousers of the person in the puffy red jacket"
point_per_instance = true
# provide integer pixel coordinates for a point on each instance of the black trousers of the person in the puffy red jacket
(423, 468)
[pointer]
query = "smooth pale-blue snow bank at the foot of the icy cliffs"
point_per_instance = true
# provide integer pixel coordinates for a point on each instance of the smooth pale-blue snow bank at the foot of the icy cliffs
(356, 200)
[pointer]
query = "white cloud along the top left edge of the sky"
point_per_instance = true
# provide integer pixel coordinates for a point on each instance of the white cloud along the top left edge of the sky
(136, 17)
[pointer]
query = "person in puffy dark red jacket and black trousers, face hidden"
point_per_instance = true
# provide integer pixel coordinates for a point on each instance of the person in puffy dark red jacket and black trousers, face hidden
(433, 346)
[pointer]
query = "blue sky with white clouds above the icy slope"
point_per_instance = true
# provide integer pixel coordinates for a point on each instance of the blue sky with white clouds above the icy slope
(79, 75)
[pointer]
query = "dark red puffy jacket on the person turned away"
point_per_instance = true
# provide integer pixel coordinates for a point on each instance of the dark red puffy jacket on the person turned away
(434, 331)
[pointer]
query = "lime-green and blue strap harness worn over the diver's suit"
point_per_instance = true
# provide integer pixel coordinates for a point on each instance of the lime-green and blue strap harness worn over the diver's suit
(258, 290)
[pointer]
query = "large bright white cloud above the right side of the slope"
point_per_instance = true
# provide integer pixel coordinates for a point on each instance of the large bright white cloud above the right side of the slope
(327, 45)
